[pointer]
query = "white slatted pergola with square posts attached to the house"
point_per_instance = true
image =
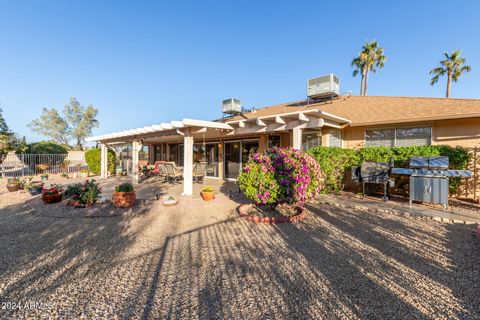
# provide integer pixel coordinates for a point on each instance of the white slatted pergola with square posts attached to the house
(293, 122)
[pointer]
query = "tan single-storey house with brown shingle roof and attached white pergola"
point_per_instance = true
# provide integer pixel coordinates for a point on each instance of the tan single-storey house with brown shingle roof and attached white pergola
(345, 121)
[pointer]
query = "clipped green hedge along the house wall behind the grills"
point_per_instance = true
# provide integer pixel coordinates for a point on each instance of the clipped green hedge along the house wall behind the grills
(335, 161)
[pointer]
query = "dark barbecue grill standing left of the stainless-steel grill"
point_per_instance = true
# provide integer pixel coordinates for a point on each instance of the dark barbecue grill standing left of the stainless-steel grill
(376, 173)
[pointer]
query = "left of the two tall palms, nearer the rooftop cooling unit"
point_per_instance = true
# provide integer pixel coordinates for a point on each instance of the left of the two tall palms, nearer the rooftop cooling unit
(369, 59)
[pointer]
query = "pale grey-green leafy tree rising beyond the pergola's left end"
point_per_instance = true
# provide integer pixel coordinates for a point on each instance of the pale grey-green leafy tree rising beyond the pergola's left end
(76, 124)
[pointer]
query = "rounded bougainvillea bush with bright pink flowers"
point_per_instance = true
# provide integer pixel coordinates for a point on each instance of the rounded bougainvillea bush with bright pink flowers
(281, 175)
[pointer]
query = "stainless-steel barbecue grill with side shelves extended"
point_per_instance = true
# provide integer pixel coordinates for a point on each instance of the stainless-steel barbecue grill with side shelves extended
(429, 179)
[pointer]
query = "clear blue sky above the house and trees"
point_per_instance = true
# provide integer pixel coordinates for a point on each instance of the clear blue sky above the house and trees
(145, 62)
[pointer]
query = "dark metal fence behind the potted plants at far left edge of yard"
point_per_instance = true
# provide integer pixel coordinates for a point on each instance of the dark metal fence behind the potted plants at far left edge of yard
(18, 165)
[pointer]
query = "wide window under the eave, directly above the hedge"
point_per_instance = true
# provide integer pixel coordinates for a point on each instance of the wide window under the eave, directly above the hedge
(399, 137)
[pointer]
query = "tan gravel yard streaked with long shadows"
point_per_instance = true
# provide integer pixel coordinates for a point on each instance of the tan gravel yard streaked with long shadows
(199, 260)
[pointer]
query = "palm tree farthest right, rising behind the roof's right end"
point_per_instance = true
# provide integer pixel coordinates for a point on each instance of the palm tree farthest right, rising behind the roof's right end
(453, 66)
